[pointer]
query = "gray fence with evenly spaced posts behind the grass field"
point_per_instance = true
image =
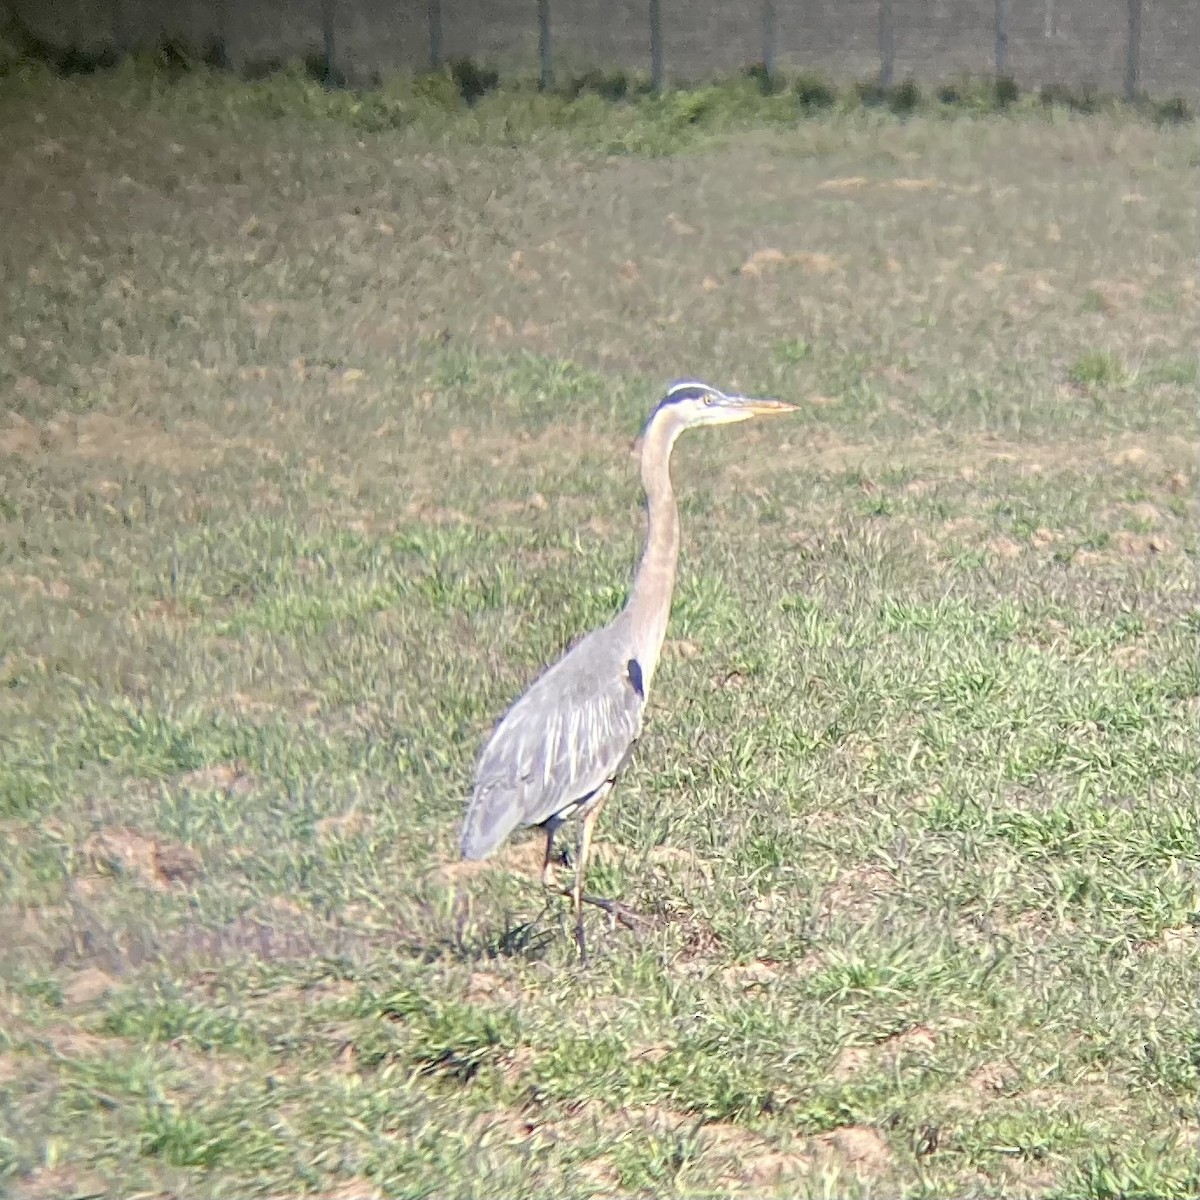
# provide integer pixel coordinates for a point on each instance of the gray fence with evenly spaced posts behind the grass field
(1113, 46)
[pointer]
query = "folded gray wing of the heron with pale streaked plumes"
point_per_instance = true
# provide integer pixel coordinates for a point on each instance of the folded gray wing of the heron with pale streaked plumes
(567, 736)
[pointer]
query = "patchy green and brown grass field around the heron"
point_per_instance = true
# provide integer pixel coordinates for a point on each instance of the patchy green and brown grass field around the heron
(317, 445)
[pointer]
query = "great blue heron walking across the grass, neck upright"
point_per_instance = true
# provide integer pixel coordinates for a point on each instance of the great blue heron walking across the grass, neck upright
(557, 752)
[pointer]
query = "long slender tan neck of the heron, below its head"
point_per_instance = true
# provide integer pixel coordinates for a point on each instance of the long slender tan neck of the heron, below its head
(650, 603)
